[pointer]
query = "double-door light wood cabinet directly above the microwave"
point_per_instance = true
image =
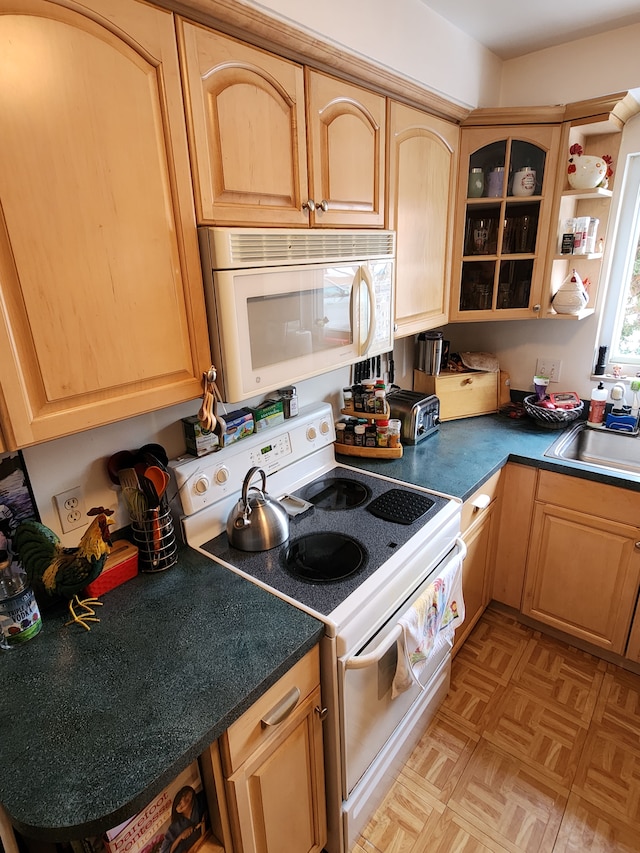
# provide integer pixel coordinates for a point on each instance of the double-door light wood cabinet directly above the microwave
(273, 143)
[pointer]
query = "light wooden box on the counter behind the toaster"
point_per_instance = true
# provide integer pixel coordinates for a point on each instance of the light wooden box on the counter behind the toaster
(461, 394)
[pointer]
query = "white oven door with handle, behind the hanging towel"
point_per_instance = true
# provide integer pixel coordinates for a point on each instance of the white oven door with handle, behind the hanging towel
(370, 716)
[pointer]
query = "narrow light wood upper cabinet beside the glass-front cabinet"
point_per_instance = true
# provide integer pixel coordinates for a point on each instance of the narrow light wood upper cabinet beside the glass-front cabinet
(423, 153)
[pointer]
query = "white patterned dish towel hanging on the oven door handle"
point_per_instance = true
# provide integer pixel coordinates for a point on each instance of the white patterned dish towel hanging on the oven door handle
(430, 621)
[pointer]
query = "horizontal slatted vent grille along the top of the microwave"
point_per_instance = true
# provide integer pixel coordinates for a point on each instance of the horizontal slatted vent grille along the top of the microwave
(263, 247)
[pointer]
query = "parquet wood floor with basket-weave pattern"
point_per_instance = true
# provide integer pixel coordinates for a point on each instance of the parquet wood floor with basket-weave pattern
(536, 749)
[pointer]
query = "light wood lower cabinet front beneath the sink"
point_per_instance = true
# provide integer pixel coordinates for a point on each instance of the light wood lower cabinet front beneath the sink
(583, 565)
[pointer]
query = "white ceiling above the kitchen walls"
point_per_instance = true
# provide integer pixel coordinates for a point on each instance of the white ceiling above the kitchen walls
(510, 29)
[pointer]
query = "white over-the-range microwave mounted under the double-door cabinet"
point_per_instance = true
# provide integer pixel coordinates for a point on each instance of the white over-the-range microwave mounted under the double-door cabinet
(286, 305)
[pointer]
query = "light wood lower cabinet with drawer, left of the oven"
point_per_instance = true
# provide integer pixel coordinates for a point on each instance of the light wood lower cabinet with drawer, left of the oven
(270, 762)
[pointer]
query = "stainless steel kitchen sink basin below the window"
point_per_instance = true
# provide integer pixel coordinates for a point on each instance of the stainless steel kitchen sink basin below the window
(604, 448)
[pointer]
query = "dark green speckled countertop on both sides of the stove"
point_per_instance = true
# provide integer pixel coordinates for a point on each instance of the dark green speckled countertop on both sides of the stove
(94, 724)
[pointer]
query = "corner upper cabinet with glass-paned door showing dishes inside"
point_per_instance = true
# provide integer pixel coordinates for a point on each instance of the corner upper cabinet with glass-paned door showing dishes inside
(505, 184)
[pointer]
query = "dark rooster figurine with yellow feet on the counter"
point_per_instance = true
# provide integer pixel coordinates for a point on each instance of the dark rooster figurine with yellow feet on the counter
(57, 572)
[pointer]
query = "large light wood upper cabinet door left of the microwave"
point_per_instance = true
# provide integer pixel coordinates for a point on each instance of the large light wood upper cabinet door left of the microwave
(101, 305)
